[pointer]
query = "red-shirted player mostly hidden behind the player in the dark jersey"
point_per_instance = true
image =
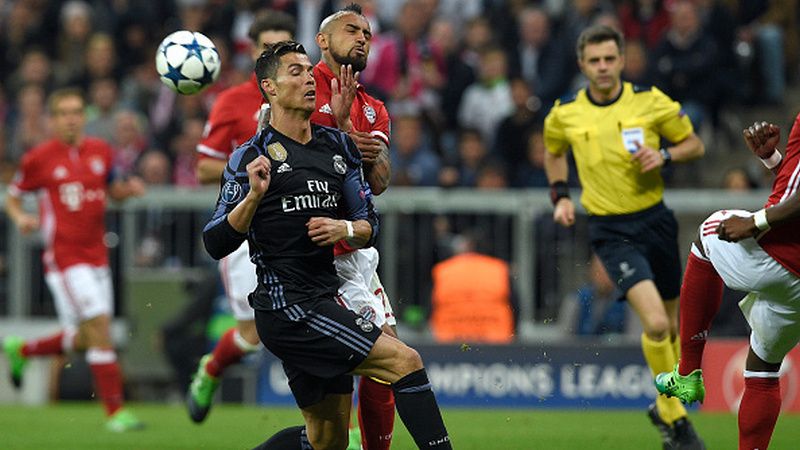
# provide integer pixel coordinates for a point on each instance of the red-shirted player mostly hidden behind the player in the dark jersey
(232, 121)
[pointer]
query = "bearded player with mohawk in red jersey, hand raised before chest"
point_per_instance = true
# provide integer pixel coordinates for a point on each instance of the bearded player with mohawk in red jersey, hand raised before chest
(344, 40)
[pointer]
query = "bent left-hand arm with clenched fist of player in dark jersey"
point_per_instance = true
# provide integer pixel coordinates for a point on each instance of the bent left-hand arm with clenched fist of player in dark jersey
(239, 197)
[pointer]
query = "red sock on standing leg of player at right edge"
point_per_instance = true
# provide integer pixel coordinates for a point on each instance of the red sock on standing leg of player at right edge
(758, 412)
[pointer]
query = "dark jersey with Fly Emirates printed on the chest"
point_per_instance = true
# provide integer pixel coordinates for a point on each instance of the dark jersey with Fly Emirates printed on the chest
(322, 178)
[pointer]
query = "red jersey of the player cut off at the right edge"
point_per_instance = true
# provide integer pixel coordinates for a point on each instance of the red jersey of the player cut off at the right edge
(783, 242)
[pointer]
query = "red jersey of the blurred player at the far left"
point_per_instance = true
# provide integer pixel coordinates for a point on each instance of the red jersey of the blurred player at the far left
(71, 183)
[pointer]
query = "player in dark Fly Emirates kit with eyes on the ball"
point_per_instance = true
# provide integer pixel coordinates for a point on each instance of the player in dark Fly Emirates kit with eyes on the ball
(284, 191)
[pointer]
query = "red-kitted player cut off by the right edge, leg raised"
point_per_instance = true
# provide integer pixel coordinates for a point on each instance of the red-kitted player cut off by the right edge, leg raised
(757, 253)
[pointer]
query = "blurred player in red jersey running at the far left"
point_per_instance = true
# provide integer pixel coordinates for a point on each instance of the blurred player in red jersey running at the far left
(72, 175)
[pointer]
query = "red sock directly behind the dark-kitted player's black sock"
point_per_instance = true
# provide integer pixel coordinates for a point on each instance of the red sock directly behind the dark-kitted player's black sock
(375, 414)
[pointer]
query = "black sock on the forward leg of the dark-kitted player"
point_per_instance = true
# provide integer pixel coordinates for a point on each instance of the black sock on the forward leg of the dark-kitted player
(419, 411)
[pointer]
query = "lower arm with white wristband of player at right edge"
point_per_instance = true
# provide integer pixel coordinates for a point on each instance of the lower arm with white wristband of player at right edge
(736, 228)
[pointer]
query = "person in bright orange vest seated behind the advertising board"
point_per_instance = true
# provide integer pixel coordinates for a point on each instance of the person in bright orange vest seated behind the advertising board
(471, 299)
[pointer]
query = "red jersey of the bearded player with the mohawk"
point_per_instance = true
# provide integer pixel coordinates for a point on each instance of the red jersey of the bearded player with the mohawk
(367, 115)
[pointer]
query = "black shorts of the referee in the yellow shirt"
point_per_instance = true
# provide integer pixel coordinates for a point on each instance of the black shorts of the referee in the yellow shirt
(639, 246)
